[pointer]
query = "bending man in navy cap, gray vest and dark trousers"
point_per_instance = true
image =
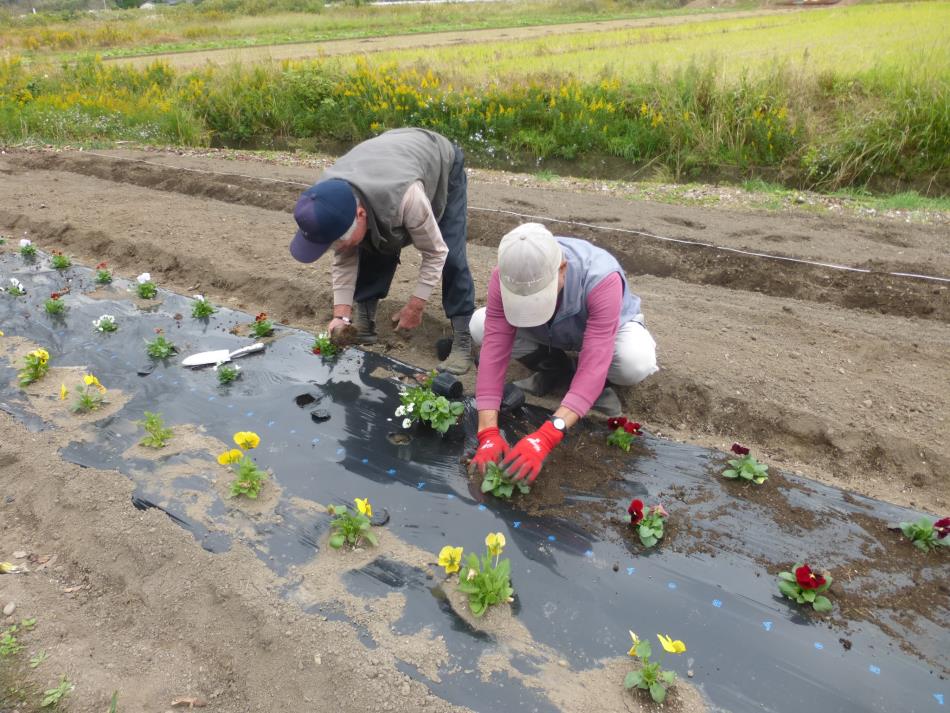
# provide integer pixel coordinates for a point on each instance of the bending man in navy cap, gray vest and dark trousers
(406, 186)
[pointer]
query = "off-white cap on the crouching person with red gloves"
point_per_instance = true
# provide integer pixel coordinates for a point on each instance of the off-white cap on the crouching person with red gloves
(529, 258)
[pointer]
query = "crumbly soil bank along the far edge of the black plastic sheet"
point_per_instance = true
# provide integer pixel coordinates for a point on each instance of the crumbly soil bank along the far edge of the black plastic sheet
(669, 399)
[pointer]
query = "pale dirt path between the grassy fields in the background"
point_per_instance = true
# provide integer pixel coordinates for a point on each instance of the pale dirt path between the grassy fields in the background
(333, 48)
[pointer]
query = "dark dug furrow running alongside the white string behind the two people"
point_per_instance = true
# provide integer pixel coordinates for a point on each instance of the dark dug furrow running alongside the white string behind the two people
(875, 291)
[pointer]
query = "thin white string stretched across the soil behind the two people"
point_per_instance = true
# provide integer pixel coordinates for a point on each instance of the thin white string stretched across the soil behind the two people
(591, 226)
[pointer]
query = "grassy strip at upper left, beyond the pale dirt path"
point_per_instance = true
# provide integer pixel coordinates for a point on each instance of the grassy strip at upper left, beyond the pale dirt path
(213, 25)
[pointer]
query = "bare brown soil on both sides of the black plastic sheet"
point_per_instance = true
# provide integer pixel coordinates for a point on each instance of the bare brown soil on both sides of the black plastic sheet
(838, 375)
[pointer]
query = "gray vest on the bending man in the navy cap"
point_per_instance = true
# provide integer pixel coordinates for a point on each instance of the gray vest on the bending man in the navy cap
(381, 170)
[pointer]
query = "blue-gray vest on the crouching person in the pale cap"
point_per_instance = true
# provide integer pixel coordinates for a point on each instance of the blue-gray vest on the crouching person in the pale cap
(587, 265)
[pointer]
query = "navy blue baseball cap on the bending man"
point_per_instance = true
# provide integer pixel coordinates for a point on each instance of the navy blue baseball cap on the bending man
(323, 213)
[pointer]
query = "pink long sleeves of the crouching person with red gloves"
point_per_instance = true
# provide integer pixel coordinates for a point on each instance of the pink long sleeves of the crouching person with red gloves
(604, 303)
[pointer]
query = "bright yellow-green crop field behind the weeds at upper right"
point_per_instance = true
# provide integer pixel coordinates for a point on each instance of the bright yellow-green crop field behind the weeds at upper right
(911, 37)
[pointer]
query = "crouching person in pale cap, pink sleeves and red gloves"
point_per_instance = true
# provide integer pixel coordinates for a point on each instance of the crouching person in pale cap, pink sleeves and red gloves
(555, 293)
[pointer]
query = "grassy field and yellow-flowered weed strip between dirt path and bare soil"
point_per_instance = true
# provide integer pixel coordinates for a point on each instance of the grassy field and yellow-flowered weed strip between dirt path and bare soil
(852, 97)
